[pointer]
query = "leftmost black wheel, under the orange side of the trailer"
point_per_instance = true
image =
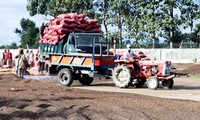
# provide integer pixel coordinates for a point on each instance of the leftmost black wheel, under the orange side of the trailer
(65, 77)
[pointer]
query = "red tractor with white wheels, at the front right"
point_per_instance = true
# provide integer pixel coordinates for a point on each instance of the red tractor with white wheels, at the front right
(142, 70)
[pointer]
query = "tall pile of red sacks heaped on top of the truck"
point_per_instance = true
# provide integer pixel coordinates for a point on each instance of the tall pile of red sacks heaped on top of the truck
(66, 23)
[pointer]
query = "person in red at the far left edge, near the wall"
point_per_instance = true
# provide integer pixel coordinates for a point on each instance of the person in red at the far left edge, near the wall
(7, 58)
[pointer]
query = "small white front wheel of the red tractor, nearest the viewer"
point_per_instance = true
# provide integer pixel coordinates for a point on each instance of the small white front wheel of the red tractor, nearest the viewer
(152, 83)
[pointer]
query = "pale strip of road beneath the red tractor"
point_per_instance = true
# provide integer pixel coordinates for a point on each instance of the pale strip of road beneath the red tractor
(184, 88)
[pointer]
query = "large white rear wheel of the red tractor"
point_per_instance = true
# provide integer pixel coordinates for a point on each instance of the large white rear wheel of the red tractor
(121, 76)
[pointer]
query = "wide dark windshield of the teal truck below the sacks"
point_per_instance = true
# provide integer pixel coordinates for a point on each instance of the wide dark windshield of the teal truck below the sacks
(84, 43)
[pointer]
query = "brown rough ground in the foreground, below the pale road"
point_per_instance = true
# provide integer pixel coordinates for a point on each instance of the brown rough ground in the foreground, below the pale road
(32, 99)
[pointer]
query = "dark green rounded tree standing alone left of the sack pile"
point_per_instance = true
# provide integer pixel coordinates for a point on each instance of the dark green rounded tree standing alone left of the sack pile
(29, 33)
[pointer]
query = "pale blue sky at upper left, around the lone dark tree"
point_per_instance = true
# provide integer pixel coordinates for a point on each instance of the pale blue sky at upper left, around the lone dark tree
(11, 12)
